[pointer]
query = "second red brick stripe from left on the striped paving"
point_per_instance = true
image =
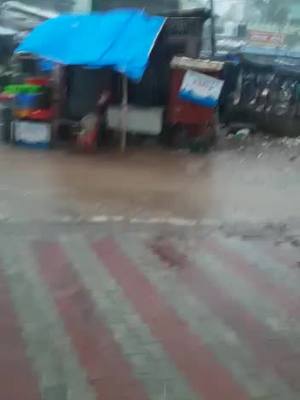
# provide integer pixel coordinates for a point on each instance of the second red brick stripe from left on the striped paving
(107, 369)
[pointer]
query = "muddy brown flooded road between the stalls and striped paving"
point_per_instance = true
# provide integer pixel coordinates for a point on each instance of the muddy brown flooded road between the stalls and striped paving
(225, 185)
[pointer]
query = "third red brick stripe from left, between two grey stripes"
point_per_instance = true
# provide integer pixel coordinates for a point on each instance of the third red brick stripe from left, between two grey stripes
(207, 377)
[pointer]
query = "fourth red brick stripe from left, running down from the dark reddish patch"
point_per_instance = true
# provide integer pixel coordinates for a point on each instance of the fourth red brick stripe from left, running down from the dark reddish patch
(270, 349)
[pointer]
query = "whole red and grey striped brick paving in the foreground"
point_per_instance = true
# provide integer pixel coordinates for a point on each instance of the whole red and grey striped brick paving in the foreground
(130, 316)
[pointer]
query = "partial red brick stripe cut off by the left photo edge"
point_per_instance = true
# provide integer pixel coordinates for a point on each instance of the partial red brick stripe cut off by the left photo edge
(17, 381)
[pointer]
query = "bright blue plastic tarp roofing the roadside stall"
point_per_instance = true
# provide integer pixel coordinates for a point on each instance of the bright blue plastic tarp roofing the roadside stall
(121, 39)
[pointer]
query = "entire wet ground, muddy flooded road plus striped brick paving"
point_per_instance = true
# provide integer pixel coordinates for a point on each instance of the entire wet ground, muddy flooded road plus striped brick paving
(150, 275)
